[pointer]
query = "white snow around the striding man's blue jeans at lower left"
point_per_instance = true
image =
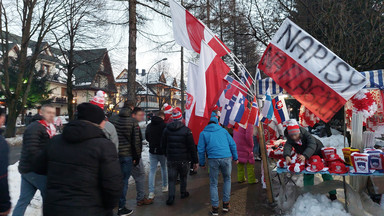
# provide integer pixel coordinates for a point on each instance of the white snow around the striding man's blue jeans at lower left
(14, 178)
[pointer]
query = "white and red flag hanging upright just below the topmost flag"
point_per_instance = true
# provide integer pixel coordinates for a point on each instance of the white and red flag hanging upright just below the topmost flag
(211, 82)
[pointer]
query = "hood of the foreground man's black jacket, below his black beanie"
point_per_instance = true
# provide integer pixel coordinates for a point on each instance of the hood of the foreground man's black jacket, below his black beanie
(78, 131)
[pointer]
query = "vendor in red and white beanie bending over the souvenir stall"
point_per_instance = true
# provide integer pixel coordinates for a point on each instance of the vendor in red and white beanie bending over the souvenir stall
(306, 146)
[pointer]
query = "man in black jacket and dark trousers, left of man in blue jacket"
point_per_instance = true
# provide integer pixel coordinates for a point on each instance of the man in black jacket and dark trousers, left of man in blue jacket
(179, 148)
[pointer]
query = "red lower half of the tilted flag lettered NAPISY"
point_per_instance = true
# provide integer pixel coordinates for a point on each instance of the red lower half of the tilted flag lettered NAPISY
(308, 89)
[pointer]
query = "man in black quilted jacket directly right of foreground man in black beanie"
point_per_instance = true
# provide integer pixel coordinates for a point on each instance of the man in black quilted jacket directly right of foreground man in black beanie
(130, 146)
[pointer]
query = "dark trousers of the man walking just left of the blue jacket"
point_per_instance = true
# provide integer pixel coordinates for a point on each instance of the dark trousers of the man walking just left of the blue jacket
(176, 168)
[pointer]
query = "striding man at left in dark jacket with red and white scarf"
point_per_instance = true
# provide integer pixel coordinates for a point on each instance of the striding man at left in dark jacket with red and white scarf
(35, 138)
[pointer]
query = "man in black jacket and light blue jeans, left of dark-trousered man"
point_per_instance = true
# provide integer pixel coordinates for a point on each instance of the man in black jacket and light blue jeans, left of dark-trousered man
(153, 135)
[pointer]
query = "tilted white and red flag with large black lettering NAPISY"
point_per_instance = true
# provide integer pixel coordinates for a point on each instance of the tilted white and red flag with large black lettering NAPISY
(310, 72)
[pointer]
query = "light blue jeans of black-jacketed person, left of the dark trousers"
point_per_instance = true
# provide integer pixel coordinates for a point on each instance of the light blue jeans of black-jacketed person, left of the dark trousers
(154, 160)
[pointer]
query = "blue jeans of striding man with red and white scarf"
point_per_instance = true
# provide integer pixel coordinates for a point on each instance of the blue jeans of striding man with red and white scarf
(30, 182)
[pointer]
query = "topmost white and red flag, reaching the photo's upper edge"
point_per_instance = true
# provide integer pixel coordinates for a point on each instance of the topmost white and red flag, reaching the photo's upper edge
(189, 31)
